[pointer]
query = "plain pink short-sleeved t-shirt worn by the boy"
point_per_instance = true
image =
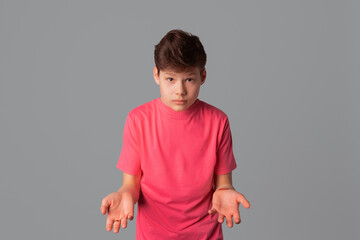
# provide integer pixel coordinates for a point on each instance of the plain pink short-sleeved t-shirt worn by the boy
(177, 153)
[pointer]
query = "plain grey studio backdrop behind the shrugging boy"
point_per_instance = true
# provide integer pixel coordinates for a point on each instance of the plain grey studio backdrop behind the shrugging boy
(286, 73)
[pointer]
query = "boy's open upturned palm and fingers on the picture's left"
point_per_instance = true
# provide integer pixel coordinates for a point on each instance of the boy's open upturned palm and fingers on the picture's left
(120, 207)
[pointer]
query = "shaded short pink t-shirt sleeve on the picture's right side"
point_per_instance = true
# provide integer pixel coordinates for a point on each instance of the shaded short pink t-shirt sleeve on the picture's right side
(225, 160)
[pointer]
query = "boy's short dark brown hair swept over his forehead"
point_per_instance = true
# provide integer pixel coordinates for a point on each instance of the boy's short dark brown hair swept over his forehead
(179, 50)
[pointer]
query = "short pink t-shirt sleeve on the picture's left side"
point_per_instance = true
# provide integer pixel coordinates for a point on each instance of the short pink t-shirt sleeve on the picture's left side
(129, 160)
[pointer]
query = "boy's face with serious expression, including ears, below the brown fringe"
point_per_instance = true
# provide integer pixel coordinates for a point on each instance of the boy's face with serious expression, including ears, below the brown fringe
(179, 86)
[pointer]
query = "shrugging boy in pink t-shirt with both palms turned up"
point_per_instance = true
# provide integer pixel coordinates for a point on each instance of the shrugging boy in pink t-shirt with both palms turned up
(177, 154)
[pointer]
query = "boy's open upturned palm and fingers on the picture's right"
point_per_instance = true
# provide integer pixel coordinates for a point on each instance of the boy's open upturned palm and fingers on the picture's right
(226, 204)
